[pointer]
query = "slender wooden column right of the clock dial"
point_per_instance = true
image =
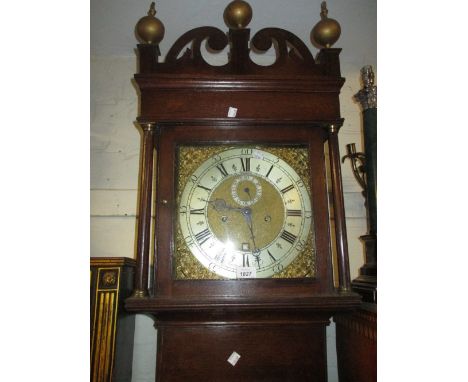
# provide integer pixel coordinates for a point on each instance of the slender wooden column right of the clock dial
(338, 209)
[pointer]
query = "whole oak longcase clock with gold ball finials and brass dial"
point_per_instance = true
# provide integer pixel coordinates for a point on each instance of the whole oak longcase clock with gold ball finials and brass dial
(242, 284)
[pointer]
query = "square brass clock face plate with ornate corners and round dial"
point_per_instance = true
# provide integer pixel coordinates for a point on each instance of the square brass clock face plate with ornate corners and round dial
(243, 207)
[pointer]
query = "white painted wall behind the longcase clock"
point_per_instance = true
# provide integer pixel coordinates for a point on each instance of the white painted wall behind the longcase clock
(115, 141)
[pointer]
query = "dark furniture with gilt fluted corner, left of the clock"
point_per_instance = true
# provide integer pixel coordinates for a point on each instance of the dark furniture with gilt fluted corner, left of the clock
(112, 329)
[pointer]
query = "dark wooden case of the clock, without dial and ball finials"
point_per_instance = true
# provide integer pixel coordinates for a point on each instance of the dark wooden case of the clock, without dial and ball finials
(277, 326)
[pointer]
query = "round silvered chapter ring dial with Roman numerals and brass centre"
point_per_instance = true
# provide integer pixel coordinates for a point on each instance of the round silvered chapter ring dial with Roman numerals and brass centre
(245, 208)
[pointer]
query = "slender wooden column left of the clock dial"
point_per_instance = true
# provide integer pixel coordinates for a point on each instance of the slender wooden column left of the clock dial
(144, 210)
